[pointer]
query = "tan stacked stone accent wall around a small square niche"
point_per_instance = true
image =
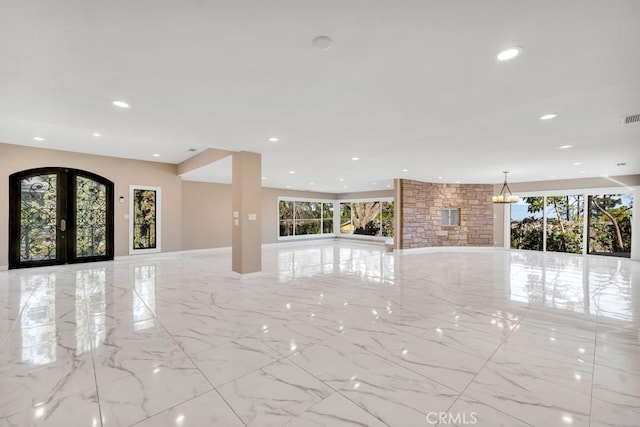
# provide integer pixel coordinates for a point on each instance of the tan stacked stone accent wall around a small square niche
(421, 204)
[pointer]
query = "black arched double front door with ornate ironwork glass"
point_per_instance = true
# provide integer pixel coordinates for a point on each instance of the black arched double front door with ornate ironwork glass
(59, 216)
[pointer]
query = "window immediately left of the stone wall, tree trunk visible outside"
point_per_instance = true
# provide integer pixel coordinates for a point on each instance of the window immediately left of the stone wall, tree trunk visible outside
(367, 218)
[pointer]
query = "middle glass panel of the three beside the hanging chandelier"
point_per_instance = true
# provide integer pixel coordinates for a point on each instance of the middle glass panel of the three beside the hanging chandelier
(565, 223)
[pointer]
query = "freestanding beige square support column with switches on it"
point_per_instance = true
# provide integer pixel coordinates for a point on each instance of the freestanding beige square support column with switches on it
(246, 187)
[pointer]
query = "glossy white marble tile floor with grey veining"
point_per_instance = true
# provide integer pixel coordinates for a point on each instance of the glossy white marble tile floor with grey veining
(332, 333)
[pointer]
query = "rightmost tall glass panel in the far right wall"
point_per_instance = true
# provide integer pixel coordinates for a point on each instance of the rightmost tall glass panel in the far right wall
(610, 224)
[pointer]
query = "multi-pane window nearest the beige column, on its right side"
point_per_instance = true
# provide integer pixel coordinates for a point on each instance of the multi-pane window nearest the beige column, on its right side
(305, 217)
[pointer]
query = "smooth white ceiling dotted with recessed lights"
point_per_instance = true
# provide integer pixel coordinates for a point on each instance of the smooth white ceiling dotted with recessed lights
(406, 85)
